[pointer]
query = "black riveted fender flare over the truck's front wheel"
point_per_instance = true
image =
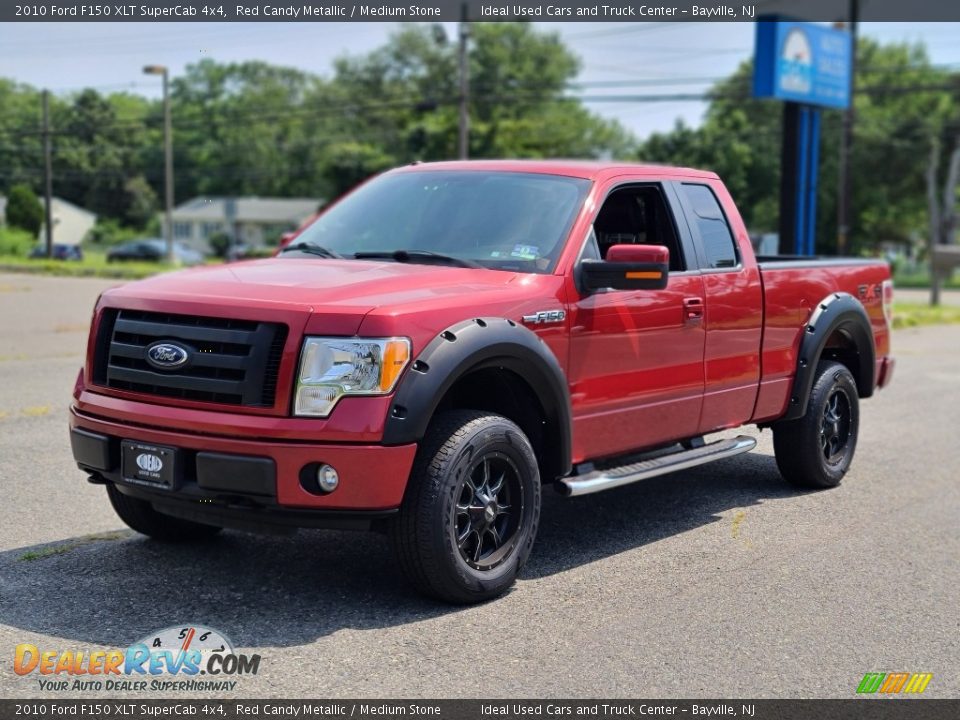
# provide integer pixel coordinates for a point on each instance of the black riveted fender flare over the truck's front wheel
(475, 344)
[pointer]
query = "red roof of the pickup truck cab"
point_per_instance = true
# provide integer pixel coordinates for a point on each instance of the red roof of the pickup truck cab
(589, 169)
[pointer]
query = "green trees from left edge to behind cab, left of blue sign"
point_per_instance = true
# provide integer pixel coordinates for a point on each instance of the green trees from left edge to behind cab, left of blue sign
(258, 129)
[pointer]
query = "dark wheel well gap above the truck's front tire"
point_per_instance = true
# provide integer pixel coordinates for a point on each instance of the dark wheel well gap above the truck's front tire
(505, 393)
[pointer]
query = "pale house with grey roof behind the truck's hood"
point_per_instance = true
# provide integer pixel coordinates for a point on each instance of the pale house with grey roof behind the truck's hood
(255, 221)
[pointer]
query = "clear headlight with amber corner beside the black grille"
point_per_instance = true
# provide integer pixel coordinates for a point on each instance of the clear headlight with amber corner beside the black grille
(333, 367)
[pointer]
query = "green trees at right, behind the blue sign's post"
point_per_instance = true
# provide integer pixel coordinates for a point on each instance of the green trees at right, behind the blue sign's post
(901, 101)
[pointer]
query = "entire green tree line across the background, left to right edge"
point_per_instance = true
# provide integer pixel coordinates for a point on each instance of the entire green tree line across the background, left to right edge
(258, 129)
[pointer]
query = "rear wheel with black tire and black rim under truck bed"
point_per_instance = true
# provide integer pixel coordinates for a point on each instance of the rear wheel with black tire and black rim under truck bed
(815, 451)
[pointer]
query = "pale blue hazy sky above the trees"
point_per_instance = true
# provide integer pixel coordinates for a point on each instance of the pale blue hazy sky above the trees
(654, 57)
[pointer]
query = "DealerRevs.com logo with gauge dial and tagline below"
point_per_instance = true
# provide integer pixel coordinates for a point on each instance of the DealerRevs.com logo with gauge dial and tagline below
(183, 657)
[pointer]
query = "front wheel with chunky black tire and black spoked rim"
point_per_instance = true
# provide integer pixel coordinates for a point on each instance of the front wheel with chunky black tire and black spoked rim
(470, 514)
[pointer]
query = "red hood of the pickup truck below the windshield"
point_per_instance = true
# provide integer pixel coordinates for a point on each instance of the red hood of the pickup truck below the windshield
(342, 290)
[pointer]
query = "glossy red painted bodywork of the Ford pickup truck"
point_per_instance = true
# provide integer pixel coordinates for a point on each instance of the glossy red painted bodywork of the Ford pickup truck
(642, 368)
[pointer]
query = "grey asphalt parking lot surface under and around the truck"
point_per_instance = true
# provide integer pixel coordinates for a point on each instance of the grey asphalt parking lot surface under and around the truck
(718, 582)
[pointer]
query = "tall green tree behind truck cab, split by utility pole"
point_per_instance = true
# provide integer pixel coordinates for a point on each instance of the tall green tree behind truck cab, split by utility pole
(519, 106)
